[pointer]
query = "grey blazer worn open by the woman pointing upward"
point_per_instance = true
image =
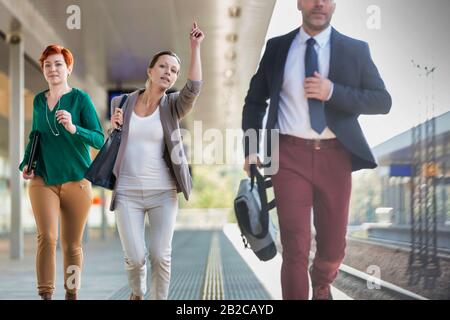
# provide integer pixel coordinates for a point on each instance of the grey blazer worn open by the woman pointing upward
(172, 107)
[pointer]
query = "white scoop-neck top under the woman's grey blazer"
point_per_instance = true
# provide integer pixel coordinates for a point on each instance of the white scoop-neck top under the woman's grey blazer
(143, 166)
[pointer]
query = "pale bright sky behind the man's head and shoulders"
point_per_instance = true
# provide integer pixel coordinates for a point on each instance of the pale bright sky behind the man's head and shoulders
(408, 30)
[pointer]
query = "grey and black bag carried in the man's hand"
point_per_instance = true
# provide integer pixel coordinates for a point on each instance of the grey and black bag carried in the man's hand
(252, 214)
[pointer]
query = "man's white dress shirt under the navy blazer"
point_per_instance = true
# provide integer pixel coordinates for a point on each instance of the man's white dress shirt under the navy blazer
(293, 114)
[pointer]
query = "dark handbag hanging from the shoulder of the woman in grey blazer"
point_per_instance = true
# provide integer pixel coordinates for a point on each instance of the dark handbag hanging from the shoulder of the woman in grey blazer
(100, 173)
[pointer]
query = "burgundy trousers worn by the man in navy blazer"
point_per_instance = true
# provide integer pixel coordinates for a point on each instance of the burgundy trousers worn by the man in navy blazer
(313, 174)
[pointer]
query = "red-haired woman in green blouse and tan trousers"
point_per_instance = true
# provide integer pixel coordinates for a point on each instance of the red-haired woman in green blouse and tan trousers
(68, 124)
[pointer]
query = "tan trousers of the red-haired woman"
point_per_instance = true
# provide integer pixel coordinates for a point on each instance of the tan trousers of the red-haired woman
(70, 203)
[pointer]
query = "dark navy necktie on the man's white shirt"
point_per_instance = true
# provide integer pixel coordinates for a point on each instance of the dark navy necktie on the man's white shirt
(316, 107)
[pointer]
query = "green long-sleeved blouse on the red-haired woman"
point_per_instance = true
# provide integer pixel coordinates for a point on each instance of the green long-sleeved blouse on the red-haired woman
(65, 157)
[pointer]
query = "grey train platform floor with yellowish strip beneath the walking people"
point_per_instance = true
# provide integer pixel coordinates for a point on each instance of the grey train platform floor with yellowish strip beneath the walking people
(207, 264)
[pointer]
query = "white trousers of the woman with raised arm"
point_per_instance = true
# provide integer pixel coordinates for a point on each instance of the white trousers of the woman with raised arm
(162, 207)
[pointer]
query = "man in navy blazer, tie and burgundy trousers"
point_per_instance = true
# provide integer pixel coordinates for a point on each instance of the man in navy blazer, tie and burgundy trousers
(319, 82)
